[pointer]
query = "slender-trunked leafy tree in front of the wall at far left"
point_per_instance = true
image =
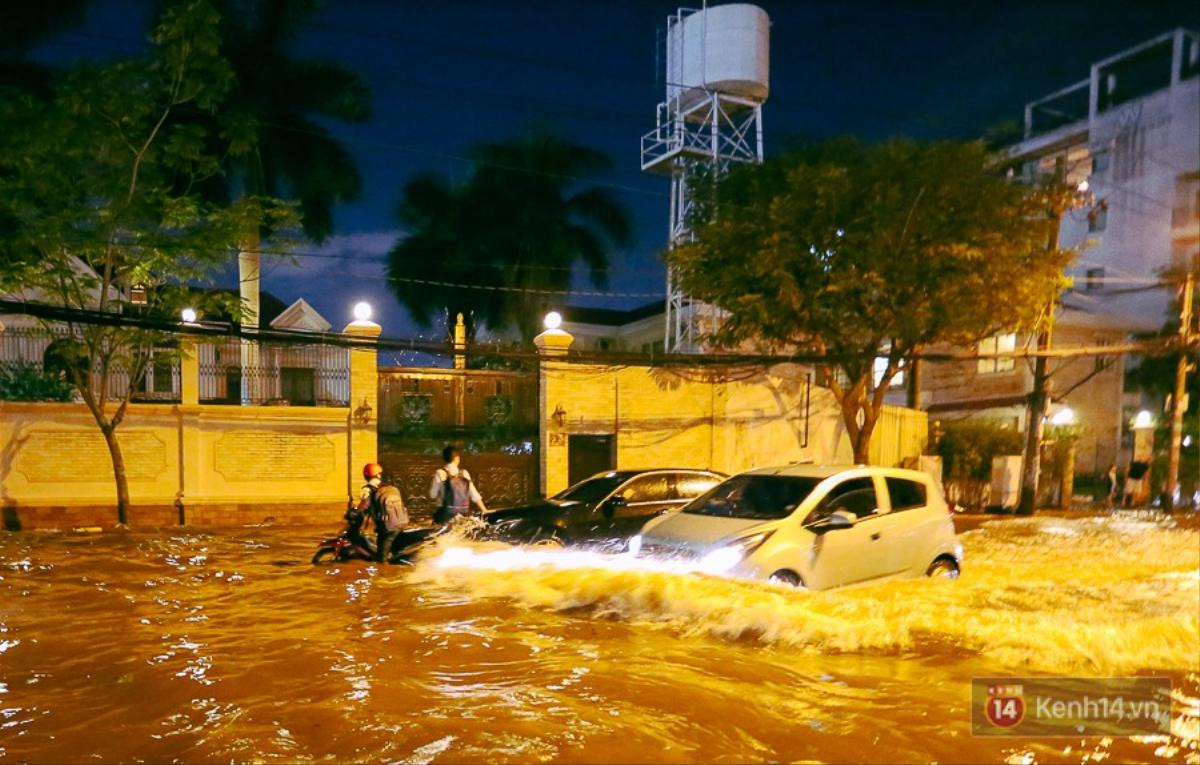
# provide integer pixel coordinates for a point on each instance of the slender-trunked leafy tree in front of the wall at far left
(99, 184)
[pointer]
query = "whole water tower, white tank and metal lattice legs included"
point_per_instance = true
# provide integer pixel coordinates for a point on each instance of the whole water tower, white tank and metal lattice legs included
(717, 67)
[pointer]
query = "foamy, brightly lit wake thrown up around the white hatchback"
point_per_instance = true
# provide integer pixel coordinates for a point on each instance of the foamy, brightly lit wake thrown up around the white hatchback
(1045, 595)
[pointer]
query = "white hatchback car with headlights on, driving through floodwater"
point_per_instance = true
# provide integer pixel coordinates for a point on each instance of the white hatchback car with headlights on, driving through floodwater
(813, 526)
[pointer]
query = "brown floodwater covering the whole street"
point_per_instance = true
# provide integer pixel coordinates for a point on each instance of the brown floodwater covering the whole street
(205, 647)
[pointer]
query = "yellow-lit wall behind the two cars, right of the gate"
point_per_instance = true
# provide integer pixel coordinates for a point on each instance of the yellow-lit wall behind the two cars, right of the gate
(697, 418)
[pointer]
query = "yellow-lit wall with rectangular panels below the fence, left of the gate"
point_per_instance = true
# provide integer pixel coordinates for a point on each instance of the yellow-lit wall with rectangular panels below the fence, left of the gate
(201, 466)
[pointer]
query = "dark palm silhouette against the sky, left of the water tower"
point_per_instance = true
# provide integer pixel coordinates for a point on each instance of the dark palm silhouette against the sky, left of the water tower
(521, 222)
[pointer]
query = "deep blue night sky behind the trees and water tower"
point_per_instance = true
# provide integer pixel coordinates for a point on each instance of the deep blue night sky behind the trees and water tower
(448, 74)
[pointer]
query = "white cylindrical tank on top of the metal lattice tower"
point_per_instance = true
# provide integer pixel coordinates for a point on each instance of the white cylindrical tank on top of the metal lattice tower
(723, 49)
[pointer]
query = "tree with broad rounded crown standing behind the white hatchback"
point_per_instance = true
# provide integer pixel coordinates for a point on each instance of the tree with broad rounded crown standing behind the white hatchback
(861, 252)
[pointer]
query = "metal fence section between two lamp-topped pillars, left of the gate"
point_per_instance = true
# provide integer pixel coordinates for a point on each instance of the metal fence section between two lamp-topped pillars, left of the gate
(250, 372)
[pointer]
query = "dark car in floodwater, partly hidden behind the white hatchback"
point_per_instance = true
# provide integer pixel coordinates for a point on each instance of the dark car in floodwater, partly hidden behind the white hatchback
(608, 508)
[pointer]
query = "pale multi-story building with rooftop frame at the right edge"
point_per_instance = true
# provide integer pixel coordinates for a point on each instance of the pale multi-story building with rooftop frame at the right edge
(1130, 136)
